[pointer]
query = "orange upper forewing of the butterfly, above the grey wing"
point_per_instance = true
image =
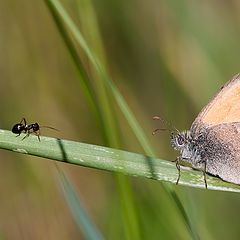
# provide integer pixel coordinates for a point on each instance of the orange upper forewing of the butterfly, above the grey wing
(223, 108)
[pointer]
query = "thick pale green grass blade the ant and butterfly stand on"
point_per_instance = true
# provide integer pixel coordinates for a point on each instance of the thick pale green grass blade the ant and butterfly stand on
(110, 159)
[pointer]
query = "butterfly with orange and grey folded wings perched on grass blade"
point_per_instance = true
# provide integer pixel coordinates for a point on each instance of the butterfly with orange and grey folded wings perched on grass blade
(212, 144)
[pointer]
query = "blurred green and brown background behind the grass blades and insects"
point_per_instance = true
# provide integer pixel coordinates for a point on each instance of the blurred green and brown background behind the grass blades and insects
(167, 58)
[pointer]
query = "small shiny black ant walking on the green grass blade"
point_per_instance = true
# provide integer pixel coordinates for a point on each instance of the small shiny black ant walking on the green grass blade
(28, 128)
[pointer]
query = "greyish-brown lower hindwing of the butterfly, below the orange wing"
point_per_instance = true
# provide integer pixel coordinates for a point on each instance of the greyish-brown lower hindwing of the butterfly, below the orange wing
(222, 151)
